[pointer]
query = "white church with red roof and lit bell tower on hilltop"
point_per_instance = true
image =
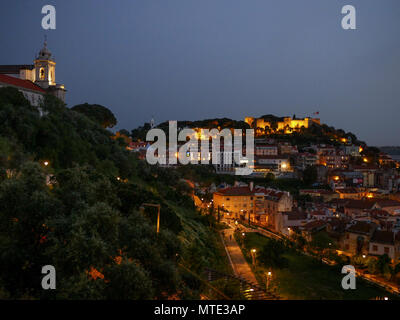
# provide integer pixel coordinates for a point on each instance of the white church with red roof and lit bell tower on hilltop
(35, 80)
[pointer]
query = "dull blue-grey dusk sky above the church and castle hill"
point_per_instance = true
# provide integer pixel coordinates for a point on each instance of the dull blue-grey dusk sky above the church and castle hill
(198, 59)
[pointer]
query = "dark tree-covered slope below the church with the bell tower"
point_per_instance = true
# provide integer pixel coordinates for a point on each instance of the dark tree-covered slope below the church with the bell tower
(70, 196)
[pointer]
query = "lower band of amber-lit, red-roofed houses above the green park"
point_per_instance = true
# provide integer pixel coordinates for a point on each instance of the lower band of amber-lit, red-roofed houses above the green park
(358, 226)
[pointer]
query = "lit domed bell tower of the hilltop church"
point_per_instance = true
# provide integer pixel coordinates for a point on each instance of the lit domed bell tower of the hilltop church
(45, 68)
